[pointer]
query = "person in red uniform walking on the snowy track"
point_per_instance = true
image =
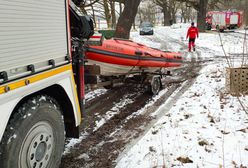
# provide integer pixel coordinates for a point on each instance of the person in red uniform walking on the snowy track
(192, 34)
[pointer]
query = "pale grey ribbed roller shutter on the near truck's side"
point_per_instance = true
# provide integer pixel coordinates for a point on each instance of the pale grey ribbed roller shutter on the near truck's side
(33, 36)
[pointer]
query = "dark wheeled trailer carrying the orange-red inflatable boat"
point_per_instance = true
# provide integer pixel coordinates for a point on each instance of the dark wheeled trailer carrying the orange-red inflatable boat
(153, 82)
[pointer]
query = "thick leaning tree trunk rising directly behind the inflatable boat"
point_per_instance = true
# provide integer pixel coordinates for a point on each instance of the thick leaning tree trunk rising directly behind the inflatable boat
(126, 19)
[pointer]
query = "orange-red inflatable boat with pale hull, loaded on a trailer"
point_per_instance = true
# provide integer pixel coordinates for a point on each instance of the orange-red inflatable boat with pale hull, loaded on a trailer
(118, 57)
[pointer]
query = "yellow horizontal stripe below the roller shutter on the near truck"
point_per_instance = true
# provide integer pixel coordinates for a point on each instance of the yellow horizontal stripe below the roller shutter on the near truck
(33, 79)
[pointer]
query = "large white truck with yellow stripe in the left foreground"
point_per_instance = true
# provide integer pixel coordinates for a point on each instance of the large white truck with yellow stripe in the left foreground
(41, 80)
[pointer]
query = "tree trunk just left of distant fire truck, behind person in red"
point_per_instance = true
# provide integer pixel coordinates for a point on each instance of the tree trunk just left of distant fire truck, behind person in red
(201, 15)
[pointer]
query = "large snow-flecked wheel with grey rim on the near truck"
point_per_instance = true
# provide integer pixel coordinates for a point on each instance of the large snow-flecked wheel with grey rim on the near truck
(34, 137)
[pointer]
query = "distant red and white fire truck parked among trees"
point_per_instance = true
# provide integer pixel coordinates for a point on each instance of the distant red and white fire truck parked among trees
(221, 20)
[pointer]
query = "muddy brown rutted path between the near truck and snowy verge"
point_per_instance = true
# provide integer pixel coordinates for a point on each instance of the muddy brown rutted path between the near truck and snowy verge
(102, 146)
